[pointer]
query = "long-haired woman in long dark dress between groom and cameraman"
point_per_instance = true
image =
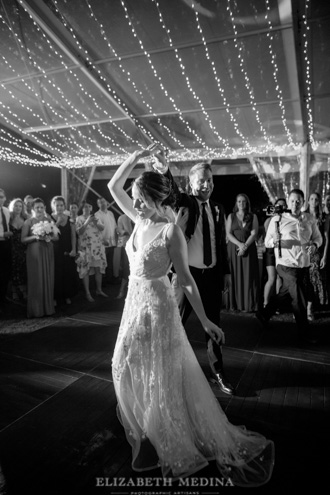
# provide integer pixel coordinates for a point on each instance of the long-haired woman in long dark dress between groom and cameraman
(242, 229)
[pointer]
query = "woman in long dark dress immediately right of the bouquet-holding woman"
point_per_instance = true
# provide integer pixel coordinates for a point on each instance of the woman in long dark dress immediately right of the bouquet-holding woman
(64, 253)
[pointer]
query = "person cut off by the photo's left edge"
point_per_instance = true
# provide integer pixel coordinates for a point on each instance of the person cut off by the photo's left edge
(5, 249)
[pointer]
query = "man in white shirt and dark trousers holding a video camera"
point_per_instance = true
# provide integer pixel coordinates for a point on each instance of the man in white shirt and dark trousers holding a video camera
(295, 236)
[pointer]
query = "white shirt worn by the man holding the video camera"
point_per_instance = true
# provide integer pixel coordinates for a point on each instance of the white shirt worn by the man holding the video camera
(296, 235)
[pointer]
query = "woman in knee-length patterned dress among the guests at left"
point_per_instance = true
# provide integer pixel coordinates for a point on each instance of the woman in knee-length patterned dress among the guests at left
(91, 259)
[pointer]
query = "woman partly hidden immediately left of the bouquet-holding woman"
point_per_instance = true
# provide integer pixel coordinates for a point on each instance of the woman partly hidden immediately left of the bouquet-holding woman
(18, 250)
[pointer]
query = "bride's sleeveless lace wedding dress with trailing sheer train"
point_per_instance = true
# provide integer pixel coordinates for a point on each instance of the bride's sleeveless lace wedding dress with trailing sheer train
(170, 414)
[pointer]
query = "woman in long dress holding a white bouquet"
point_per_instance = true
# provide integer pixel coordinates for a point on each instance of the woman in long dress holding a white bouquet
(38, 233)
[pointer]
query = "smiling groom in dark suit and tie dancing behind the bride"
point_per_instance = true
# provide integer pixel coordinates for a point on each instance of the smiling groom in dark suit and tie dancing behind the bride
(210, 269)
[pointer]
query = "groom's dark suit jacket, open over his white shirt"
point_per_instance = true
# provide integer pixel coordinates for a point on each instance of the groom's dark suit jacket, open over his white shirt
(189, 212)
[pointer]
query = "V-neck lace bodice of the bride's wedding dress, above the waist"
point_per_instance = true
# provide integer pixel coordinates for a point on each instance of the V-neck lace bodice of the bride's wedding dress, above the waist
(152, 260)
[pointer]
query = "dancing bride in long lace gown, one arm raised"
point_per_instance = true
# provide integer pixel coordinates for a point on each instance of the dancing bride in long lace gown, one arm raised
(171, 417)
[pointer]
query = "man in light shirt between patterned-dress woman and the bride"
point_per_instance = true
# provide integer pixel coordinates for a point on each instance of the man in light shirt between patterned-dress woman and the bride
(109, 235)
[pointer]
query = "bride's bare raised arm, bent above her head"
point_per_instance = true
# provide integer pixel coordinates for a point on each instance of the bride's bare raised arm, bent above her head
(117, 183)
